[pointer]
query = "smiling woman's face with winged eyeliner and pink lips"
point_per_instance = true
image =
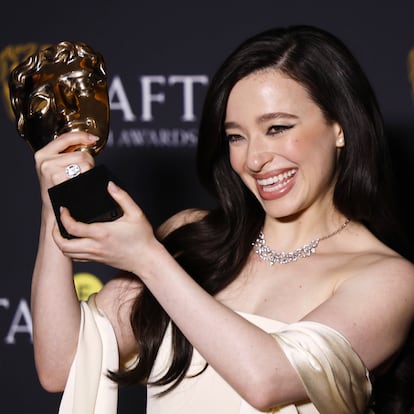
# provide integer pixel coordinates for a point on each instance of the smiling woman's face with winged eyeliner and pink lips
(280, 144)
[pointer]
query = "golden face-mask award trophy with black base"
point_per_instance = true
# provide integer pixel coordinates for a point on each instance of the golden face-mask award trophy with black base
(60, 89)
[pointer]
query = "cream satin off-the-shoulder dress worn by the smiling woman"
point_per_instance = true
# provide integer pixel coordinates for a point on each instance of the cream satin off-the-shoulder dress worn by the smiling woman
(334, 376)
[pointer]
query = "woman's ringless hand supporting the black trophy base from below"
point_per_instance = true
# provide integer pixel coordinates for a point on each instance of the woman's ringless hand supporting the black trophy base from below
(121, 243)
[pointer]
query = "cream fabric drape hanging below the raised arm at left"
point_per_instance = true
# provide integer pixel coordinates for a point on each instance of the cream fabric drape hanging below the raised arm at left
(88, 389)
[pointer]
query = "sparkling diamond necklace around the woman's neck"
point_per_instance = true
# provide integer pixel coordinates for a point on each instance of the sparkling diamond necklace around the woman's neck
(267, 254)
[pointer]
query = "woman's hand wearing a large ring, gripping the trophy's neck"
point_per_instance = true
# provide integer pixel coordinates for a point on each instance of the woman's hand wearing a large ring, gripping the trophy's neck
(52, 160)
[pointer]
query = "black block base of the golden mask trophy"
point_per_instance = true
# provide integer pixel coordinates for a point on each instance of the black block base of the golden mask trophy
(87, 198)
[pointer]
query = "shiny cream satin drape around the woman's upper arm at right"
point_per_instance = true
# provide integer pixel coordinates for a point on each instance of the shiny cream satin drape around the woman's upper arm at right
(333, 374)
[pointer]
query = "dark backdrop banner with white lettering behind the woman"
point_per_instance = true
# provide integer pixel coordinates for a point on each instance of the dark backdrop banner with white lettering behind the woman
(160, 57)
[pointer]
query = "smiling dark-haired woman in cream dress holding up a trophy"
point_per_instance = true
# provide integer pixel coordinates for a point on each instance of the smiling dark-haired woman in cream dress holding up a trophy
(209, 312)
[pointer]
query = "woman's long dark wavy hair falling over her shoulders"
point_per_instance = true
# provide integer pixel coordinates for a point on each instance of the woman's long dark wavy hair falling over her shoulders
(214, 249)
